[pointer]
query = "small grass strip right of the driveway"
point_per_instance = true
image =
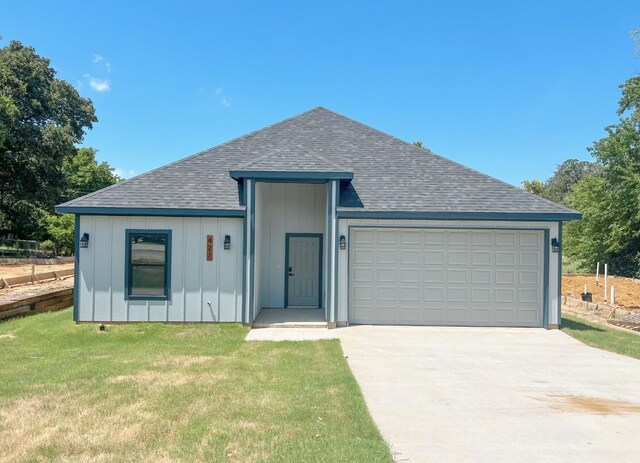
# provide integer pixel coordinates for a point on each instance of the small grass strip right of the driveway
(601, 336)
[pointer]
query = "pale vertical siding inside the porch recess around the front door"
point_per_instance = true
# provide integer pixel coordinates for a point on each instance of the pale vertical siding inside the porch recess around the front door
(283, 208)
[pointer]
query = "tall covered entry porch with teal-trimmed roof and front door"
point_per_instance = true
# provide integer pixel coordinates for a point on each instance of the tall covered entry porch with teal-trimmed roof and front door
(291, 240)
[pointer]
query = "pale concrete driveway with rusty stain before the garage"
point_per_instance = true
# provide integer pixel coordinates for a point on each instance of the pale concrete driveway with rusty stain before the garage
(494, 394)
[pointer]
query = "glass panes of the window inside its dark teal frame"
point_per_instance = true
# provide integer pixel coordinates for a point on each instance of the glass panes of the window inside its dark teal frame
(148, 252)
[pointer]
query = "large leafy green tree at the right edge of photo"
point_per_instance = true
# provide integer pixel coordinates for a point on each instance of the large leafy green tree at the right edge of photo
(610, 199)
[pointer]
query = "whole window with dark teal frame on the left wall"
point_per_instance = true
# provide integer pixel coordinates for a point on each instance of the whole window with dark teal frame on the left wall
(148, 263)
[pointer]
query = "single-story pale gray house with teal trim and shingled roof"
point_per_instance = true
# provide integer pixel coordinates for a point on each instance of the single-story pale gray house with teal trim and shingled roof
(324, 212)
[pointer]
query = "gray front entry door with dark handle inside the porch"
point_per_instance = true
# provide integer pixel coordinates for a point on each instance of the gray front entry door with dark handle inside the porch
(304, 252)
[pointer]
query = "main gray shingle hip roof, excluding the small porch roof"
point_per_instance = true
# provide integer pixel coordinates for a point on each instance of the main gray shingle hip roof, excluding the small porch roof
(388, 174)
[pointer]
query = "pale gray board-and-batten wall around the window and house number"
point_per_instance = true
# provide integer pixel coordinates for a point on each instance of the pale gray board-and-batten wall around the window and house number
(195, 282)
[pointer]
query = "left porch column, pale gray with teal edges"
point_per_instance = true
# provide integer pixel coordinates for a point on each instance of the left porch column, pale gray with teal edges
(249, 251)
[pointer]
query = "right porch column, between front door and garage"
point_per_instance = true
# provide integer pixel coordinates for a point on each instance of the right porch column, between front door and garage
(332, 249)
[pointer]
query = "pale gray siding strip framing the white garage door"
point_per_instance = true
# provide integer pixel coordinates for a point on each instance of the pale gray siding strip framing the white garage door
(343, 264)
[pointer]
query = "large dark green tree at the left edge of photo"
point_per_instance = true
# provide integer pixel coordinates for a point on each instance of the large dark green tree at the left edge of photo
(41, 119)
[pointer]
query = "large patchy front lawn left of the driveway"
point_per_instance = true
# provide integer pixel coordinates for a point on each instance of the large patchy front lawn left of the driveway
(170, 393)
